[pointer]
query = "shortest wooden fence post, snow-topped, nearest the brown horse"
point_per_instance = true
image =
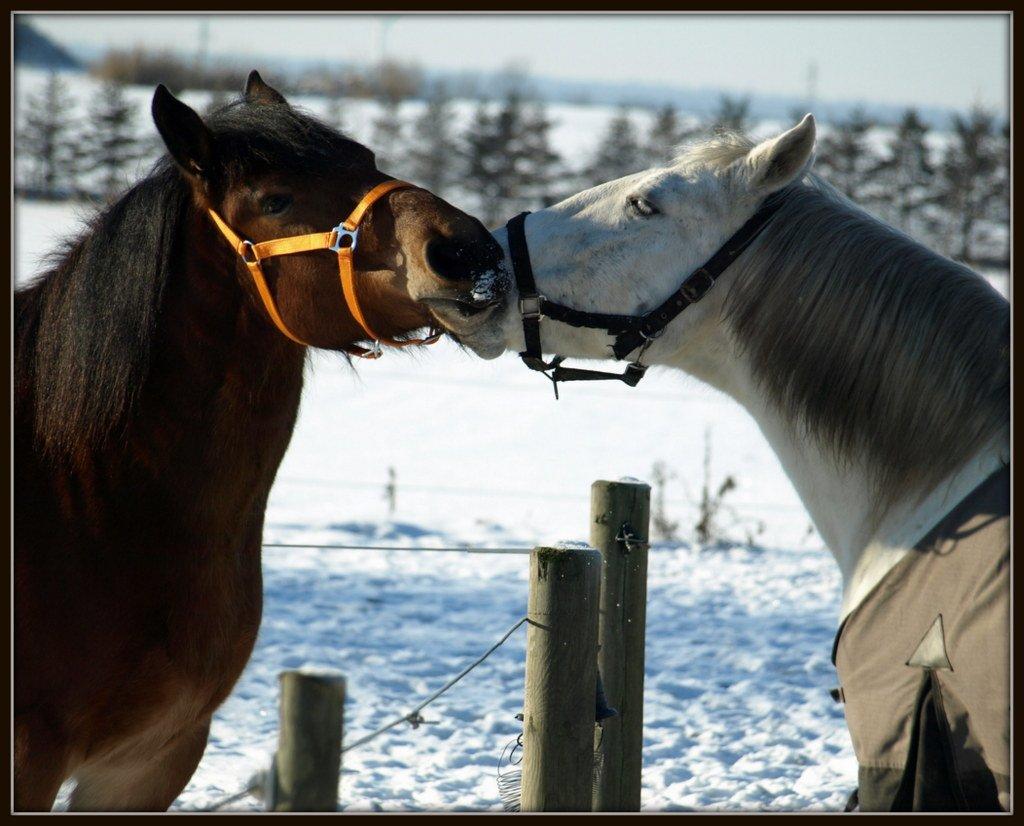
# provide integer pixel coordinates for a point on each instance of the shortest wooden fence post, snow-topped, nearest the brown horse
(308, 766)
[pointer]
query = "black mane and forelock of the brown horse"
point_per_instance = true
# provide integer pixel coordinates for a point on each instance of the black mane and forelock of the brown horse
(84, 329)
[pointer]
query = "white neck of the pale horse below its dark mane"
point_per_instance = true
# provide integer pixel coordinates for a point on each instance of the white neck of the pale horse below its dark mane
(840, 501)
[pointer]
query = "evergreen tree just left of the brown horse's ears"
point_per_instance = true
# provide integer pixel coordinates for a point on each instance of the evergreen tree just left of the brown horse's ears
(110, 147)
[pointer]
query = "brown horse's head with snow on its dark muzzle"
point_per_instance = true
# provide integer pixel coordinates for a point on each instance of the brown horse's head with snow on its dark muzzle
(272, 171)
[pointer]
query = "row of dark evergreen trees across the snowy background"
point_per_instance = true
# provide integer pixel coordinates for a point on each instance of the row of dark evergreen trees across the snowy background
(952, 193)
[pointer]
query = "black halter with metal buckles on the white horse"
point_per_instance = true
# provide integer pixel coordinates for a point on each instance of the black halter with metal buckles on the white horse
(631, 332)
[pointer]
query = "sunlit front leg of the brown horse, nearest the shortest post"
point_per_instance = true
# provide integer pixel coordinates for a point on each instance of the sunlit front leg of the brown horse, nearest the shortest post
(141, 784)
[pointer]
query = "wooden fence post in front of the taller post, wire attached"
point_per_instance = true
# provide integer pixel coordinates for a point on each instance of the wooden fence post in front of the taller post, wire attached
(562, 675)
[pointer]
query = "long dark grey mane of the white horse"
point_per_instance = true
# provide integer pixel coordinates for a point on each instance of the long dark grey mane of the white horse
(886, 354)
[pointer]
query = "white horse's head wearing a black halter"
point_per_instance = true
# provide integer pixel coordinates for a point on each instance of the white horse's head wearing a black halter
(626, 246)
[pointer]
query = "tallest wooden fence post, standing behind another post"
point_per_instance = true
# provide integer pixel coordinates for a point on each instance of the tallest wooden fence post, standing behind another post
(620, 528)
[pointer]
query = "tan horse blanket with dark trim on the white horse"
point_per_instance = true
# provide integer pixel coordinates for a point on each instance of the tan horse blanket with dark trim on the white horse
(924, 665)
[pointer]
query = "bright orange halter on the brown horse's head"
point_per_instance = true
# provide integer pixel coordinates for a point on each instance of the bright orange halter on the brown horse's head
(342, 240)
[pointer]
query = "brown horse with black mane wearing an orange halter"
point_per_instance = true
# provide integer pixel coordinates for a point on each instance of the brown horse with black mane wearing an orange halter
(154, 403)
